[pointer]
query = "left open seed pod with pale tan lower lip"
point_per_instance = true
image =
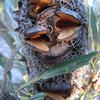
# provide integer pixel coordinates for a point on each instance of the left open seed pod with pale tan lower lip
(37, 37)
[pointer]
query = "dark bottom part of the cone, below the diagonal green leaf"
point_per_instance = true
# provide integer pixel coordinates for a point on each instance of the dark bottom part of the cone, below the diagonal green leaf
(62, 87)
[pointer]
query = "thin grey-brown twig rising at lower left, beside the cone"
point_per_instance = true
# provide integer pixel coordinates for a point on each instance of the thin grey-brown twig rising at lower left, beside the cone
(8, 67)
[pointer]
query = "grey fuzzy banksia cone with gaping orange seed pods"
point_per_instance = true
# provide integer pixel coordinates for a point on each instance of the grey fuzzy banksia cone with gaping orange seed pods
(51, 31)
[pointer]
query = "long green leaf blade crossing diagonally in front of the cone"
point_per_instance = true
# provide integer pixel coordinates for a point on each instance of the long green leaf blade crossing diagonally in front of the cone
(69, 66)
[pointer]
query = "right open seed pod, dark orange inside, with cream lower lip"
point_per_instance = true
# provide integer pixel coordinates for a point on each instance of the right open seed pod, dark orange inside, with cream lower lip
(67, 23)
